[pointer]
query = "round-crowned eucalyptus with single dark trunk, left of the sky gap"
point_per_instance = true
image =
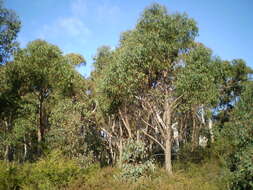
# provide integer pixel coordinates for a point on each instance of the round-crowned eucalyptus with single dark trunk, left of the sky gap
(40, 74)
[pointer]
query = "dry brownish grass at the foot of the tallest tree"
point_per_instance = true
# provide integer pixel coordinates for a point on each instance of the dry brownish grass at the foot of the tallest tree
(194, 177)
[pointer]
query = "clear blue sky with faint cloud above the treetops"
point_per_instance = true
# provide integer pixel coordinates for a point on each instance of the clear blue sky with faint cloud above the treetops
(81, 26)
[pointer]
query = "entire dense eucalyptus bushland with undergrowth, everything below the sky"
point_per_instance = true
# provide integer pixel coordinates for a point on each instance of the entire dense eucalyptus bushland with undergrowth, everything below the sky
(159, 111)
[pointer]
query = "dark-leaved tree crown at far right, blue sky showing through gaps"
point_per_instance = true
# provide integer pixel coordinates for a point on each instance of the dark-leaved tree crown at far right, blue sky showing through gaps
(231, 77)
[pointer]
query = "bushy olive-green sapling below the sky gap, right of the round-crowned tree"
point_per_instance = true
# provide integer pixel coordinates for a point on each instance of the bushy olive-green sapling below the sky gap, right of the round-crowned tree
(73, 131)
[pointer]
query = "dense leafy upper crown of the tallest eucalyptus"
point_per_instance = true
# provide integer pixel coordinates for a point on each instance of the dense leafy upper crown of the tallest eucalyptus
(147, 55)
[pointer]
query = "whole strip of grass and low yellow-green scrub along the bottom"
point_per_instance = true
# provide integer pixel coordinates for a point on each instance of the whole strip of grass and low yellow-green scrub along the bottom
(56, 172)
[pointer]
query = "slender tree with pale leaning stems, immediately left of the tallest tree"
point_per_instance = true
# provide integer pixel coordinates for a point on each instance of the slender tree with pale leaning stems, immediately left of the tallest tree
(106, 114)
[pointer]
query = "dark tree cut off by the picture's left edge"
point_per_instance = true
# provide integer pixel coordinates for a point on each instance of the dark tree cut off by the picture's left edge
(9, 28)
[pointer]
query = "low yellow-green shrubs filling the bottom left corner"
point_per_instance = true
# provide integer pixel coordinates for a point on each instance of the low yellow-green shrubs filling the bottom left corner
(51, 172)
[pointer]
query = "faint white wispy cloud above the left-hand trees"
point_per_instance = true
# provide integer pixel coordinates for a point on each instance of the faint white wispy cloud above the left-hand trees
(71, 31)
